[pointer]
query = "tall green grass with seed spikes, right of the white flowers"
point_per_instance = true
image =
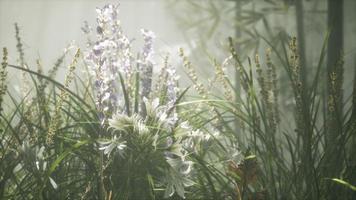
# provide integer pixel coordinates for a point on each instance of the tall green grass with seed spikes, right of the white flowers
(301, 151)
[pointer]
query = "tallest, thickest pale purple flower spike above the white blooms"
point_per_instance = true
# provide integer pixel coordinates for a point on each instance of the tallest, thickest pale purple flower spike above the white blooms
(108, 56)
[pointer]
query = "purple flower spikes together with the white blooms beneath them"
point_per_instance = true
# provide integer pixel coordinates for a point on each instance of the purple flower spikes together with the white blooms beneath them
(141, 118)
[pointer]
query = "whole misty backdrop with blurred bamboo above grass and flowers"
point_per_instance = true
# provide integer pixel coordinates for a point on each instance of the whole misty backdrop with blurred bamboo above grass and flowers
(201, 27)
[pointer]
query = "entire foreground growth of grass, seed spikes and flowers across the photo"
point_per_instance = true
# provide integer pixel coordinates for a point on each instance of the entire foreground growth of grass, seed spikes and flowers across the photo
(124, 132)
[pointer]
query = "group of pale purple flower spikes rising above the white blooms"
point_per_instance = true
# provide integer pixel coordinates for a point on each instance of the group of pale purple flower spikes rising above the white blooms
(111, 54)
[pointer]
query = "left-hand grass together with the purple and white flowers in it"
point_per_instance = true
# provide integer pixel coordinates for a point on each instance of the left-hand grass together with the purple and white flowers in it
(69, 141)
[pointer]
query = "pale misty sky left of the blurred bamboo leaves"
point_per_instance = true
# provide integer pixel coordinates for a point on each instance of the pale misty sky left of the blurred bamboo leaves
(47, 26)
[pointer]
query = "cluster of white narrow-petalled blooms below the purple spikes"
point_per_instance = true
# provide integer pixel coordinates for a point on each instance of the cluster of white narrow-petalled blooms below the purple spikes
(162, 140)
